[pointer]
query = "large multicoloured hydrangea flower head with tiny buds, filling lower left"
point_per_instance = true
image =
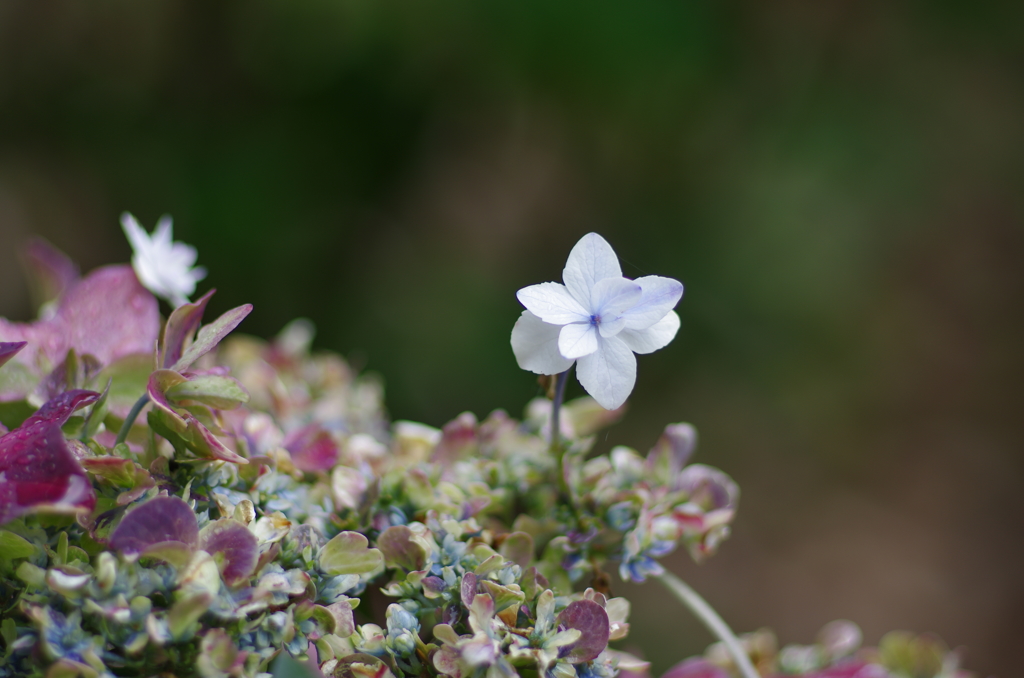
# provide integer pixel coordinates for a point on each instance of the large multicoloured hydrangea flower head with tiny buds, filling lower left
(176, 501)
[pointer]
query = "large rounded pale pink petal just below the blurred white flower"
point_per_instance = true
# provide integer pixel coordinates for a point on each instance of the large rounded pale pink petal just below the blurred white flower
(109, 315)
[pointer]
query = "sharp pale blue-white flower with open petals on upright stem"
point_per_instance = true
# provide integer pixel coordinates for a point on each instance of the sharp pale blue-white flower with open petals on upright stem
(599, 320)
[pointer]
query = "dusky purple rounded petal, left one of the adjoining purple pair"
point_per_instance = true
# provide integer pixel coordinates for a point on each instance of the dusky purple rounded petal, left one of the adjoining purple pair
(160, 520)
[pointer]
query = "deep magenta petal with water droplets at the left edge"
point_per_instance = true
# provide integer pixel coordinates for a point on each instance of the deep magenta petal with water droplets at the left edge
(37, 470)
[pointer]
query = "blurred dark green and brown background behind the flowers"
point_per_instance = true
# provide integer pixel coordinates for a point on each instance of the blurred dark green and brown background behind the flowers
(839, 186)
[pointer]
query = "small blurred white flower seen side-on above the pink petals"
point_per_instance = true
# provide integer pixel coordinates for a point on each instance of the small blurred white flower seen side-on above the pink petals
(163, 268)
